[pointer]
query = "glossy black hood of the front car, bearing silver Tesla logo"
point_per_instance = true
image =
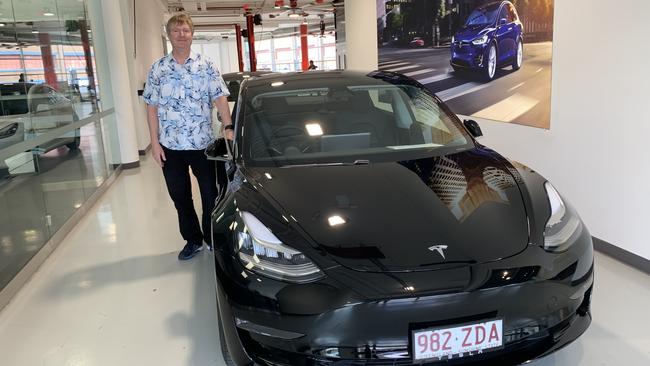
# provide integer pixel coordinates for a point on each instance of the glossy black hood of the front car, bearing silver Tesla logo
(405, 216)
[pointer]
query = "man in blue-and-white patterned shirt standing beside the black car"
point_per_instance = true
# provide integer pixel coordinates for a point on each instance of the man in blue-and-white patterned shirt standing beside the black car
(180, 91)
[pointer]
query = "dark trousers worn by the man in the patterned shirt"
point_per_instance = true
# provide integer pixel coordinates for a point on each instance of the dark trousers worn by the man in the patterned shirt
(177, 177)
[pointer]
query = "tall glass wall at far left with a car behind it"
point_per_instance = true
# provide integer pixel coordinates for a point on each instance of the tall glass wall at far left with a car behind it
(52, 155)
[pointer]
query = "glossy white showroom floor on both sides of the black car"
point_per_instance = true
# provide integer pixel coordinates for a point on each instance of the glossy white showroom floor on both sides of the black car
(114, 294)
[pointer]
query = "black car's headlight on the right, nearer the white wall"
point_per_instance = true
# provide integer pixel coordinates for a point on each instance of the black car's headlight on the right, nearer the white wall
(563, 225)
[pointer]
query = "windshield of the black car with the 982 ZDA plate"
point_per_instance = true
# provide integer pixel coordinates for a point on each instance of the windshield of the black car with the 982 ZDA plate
(346, 124)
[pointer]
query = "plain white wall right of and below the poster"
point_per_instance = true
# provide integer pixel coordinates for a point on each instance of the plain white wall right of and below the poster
(595, 152)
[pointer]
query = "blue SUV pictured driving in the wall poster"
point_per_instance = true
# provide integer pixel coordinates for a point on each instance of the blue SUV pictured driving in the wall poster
(490, 39)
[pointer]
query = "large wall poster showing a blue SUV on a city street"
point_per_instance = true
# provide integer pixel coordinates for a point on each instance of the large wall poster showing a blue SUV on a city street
(487, 59)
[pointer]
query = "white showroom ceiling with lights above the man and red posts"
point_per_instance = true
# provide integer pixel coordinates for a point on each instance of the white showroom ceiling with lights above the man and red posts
(217, 18)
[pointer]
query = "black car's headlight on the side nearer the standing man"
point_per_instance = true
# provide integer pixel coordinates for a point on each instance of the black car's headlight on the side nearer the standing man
(262, 252)
